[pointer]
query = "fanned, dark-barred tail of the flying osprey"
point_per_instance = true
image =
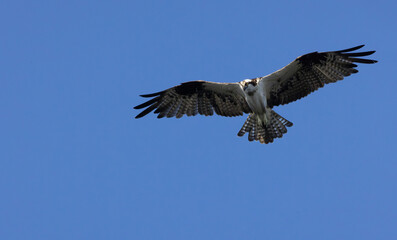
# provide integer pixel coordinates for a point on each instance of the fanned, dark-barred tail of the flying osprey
(264, 133)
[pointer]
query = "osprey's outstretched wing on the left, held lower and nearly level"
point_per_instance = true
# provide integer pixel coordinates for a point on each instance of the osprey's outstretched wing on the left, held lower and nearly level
(190, 98)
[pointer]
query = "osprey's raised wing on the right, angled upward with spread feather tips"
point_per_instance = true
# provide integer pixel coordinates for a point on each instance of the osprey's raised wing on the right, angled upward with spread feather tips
(311, 72)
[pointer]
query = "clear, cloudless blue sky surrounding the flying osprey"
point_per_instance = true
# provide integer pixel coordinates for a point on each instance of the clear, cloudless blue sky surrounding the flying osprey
(75, 164)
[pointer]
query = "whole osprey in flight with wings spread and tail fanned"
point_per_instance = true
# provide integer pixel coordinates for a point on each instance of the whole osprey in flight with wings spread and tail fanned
(257, 96)
